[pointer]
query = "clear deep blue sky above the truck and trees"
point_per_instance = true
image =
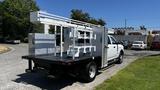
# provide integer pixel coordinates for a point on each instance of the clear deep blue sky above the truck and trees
(114, 12)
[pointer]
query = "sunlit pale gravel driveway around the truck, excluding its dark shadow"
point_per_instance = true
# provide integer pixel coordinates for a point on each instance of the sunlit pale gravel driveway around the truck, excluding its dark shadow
(13, 76)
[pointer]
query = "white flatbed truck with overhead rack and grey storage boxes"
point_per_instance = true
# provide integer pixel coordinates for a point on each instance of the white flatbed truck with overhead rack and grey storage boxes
(75, 47)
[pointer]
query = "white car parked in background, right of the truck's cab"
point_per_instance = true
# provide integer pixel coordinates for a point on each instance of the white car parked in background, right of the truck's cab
(139, 45)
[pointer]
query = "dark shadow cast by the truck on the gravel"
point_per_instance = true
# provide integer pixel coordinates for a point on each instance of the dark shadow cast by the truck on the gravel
(42, 81)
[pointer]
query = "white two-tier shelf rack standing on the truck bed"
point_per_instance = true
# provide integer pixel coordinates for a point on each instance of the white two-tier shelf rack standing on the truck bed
(83, 42)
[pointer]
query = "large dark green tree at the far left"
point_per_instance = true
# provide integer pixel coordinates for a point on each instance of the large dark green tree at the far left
(15, 18)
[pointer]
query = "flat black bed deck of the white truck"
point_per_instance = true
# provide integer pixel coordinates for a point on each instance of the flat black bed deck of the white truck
(65, 60)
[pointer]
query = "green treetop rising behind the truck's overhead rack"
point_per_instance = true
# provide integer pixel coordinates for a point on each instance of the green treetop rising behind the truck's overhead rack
(84, 16)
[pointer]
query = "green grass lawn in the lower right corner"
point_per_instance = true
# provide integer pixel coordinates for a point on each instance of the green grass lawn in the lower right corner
(143, 74)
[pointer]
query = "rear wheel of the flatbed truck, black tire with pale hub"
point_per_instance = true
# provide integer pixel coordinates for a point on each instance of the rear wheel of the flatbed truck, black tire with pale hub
(89, 73)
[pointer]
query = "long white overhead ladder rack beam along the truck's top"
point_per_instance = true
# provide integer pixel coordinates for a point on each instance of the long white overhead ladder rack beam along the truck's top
(45, 18)
